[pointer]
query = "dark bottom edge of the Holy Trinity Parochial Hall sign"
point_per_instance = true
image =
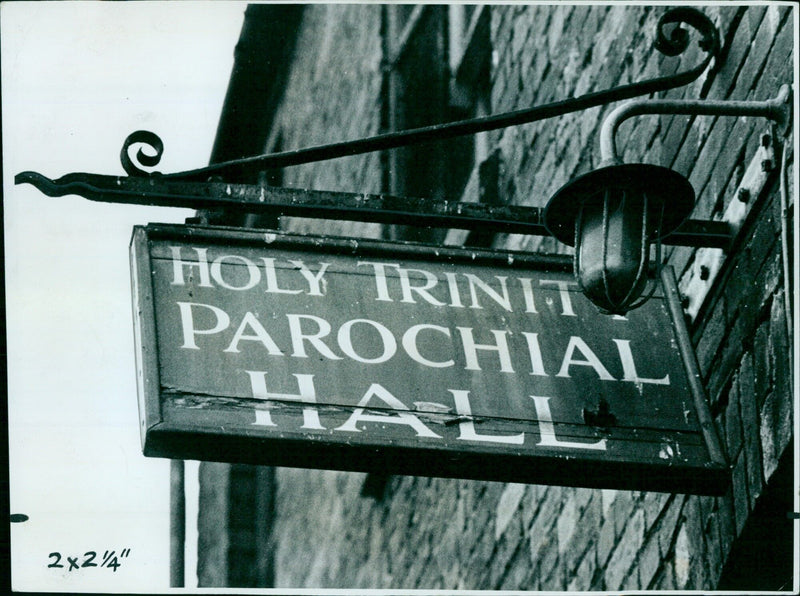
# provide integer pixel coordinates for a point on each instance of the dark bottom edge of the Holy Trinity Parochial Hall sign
(709, 480)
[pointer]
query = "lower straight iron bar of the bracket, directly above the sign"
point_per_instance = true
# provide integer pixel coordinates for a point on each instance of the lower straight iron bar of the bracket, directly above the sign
(162, 191)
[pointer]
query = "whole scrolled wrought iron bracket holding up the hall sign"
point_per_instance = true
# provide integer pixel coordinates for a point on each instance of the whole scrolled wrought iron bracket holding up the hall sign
(219, 186)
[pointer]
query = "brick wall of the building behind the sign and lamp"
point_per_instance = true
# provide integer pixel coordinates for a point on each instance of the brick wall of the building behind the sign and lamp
(457, 534)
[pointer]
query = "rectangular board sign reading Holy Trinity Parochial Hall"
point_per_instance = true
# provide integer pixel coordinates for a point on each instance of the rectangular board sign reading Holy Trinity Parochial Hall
(289, 350)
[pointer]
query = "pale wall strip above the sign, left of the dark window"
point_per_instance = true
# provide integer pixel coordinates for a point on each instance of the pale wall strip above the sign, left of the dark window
(334, 94)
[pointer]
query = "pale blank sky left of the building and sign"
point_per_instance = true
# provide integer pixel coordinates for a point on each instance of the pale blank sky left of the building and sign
(77, 78)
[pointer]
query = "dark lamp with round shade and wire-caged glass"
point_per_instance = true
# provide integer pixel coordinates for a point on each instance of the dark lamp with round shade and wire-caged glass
(611, 216)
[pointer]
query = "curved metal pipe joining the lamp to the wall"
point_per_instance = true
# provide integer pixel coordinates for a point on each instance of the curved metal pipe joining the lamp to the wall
(775, 109)
